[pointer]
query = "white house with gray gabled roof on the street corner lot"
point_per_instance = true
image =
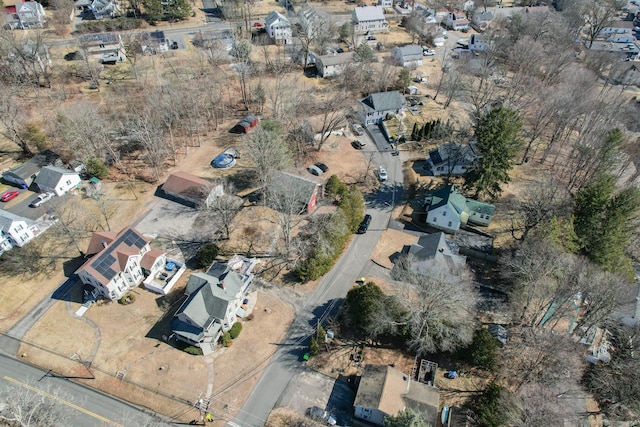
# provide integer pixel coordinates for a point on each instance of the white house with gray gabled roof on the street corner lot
(213, 302)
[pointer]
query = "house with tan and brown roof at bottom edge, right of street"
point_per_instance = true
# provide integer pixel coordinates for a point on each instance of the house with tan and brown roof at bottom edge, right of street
(384, 391)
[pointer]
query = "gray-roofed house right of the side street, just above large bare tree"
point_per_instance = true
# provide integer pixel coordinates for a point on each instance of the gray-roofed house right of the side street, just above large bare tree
(433, 252)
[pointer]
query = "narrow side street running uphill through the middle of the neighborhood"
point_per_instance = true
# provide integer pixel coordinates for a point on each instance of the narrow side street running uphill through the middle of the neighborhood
(323, 302)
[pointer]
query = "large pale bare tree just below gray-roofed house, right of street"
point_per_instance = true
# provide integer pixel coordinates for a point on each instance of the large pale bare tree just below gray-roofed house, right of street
(438, 309)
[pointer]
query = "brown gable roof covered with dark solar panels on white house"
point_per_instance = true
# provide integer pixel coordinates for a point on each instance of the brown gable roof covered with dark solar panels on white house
(110, 261)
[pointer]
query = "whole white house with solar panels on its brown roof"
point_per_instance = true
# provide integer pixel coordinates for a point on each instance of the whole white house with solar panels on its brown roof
(119, 262)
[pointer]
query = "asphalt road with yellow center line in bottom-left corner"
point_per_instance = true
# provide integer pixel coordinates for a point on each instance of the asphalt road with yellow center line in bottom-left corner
(84, 406)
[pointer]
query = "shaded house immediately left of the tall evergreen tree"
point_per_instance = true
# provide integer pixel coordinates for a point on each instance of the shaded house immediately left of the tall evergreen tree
(452, 159)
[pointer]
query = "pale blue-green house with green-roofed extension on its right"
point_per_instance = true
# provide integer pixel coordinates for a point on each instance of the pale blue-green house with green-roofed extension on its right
(448, 210)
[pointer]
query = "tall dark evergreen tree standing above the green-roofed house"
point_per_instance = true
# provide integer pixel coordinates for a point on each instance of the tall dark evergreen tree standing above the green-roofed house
(498, 143)
